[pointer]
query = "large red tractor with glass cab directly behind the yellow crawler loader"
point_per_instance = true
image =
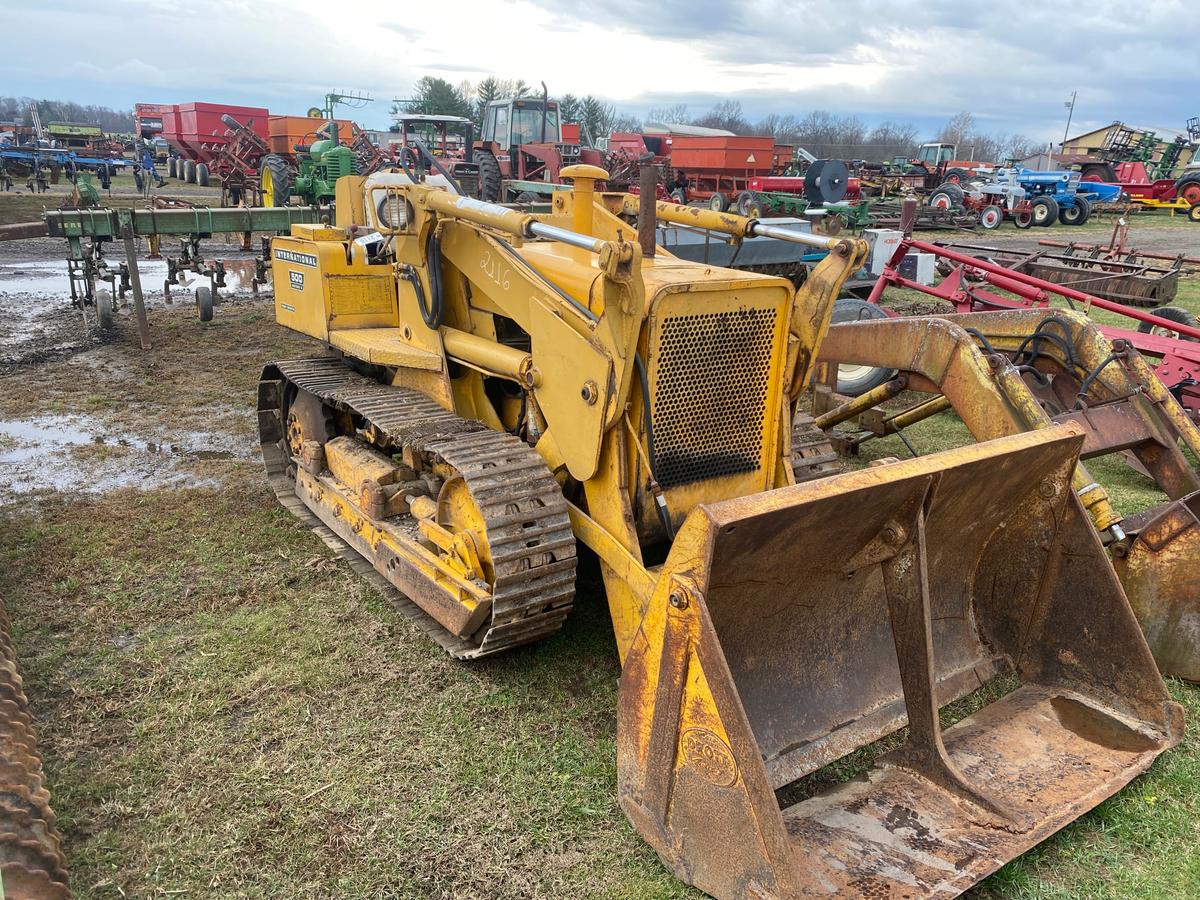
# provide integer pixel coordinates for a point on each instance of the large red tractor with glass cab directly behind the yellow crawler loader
(523, 148)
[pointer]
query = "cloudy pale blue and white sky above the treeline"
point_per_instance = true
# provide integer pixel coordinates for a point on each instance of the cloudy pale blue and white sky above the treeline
(1012, 64)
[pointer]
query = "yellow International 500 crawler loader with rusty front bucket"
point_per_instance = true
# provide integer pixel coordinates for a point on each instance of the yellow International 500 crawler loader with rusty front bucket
(505, 387)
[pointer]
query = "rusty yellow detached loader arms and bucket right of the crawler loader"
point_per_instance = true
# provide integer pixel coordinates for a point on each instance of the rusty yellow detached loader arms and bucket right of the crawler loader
(1065, 371)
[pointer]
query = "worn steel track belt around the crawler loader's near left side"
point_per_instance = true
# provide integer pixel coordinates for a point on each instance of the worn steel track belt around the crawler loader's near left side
(529, 530)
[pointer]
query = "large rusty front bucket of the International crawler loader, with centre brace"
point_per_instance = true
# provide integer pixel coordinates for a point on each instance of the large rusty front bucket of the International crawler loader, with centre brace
(793, 628)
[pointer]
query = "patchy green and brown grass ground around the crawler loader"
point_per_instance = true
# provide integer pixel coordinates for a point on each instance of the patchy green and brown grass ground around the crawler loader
(226, 711)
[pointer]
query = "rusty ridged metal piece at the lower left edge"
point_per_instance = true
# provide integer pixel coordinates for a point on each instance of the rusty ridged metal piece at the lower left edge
(32, 862)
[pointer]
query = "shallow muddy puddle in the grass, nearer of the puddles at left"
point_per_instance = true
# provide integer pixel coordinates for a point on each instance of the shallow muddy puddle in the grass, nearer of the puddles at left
(81, 454)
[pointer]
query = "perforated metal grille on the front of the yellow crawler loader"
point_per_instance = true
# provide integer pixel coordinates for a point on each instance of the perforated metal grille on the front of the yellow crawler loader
(710, 403)
